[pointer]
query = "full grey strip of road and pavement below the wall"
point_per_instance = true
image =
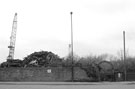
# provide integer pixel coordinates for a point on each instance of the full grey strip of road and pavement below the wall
(67, 85)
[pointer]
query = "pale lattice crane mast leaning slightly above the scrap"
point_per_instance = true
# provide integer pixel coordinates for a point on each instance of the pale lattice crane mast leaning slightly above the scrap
(12, 38)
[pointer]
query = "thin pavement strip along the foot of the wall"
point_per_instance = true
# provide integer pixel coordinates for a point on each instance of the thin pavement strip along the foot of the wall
(68, 83)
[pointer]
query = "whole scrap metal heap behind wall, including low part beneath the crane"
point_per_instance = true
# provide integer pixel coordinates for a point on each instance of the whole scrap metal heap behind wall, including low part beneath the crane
(36, 59)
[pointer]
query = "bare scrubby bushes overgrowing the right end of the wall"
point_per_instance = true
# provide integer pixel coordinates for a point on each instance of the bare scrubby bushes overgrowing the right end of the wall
(103, 67)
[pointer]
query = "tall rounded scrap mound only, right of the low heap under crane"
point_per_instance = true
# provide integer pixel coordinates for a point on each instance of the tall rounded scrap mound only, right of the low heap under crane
(42, 58)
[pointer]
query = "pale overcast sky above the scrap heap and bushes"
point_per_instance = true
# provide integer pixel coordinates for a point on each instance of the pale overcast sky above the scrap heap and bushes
(98, 26)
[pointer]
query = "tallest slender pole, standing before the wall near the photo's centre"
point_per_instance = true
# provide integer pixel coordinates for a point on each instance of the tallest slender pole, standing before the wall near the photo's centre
(72, 47)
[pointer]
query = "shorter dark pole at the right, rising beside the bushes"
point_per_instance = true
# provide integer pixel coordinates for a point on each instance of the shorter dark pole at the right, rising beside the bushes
(125, 71)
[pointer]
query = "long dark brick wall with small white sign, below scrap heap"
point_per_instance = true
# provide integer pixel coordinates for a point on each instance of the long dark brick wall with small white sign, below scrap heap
(41, 74)
